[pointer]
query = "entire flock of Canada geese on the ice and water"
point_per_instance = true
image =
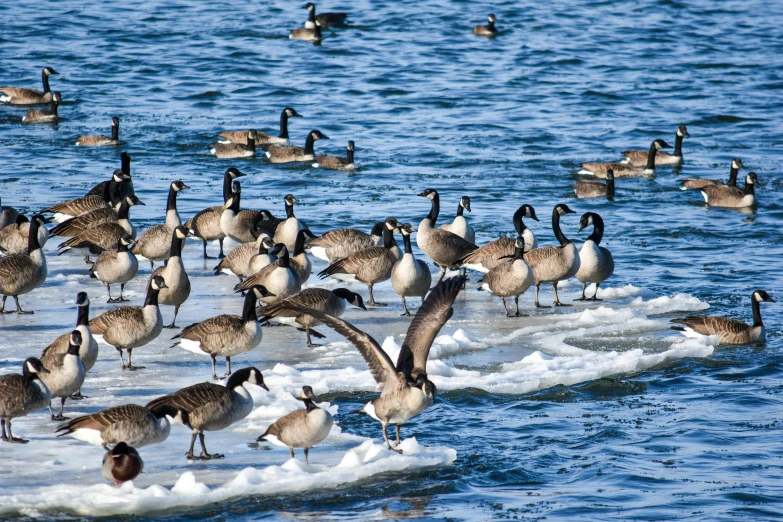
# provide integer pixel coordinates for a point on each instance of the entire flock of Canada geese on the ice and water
(272, 263)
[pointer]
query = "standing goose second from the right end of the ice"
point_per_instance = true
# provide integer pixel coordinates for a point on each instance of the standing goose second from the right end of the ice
(556, 263)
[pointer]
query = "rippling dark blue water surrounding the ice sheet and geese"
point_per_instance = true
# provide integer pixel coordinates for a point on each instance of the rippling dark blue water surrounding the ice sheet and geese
(506, 121)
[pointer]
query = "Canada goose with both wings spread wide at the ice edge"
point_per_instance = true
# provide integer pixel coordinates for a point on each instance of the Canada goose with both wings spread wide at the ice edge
(406, 389)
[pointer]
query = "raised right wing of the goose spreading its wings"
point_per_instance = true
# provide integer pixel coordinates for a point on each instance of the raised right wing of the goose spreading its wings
(426, 324)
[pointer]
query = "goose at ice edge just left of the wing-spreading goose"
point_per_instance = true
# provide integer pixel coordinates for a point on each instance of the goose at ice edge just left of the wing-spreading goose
(300, 428)
